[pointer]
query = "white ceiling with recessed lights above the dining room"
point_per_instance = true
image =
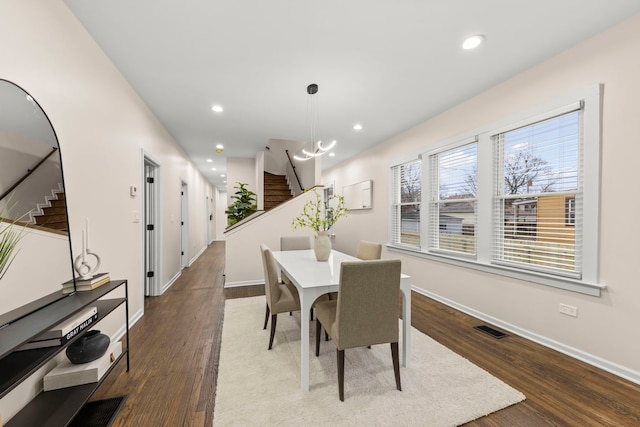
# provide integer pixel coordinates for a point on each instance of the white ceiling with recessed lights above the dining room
(387, 65)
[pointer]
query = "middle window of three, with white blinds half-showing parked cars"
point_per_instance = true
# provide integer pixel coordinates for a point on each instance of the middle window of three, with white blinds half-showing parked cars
(452, 210)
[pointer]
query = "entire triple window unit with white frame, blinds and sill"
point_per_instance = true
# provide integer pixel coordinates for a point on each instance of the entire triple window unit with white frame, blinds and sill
(511, 197)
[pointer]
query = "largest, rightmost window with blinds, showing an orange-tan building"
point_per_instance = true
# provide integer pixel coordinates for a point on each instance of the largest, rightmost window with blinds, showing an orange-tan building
(536, 172)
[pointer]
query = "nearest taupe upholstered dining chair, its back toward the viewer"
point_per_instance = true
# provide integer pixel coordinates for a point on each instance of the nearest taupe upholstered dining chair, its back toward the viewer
(365, 313)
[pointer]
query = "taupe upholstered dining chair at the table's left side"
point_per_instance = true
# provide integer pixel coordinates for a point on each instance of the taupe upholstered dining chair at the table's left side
(279, 297)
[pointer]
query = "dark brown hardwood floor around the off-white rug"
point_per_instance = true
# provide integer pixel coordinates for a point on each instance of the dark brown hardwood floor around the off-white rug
(176, 344)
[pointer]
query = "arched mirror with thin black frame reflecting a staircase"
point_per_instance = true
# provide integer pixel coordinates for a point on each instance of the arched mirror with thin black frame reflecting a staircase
(35, 248)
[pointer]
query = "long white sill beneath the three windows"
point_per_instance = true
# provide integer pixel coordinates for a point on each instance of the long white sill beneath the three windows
(573, 285)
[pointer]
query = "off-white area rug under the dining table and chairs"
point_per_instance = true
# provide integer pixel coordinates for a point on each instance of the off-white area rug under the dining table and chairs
(261, 387)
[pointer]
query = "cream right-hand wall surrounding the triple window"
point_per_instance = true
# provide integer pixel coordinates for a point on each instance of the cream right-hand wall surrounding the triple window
(598, 333)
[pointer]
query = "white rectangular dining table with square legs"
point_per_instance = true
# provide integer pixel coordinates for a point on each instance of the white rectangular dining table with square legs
(313, 278)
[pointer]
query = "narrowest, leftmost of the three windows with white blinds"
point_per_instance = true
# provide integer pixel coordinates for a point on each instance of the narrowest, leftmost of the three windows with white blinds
(407, 193)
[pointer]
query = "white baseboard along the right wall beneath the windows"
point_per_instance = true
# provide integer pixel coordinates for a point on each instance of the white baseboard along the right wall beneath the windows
(598, 362)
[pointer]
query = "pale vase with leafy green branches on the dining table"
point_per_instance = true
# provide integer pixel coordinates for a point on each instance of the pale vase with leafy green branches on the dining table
(320, 215)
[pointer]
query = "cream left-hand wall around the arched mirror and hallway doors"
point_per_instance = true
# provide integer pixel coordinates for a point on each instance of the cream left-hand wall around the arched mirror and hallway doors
(102, 126)
